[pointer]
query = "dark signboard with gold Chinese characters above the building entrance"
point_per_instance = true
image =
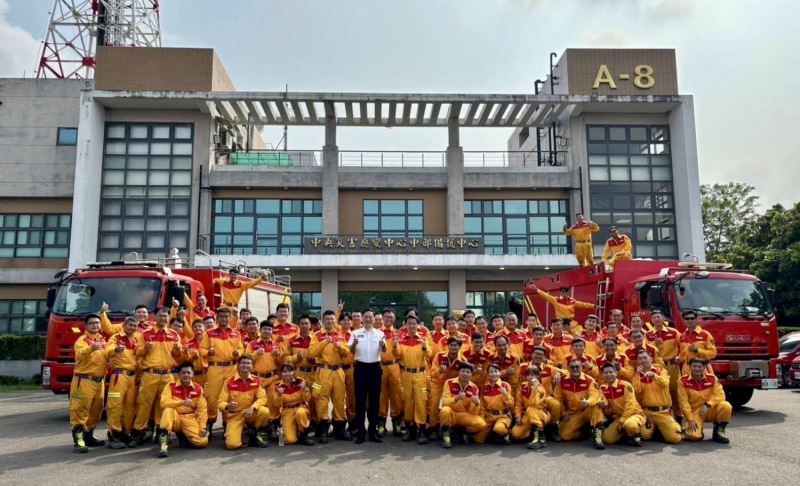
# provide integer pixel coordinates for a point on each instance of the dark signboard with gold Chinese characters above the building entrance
(339, 245)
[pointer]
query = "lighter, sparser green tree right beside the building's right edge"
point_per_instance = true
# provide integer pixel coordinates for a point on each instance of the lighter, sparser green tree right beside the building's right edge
(727, 210)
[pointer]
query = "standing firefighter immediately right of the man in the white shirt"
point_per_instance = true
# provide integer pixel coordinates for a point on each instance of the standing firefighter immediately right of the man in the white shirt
(413, 351)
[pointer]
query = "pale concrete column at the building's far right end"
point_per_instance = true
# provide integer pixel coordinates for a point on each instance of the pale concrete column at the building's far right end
(686, 179)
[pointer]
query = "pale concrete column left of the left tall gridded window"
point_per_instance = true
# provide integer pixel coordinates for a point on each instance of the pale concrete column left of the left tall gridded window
(88, 182)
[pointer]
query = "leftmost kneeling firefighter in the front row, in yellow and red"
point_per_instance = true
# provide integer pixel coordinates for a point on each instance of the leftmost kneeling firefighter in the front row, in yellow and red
(184, 411)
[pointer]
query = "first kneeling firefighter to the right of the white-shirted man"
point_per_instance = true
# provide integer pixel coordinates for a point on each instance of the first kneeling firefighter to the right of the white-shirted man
(461, 405)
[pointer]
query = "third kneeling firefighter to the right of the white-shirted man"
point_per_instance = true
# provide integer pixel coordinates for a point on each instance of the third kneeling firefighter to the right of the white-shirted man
(530, 411)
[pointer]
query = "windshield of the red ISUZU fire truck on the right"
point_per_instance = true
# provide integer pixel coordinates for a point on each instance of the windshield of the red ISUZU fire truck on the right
(723, 296)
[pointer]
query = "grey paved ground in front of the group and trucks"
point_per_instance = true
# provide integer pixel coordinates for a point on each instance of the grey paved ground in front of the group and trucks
(35, 448)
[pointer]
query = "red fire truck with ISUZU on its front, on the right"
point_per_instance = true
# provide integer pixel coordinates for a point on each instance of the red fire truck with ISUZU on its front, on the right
(735, 307)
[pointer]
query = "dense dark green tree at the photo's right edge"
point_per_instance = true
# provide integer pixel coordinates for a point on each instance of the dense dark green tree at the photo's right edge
(769, 246)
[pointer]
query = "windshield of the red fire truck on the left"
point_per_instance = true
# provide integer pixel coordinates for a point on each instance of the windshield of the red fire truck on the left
(84, 295)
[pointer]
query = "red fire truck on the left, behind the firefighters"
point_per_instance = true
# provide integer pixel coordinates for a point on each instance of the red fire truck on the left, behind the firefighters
(124, 285)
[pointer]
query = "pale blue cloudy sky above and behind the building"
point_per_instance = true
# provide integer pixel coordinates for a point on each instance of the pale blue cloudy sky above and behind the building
(738, 58)
